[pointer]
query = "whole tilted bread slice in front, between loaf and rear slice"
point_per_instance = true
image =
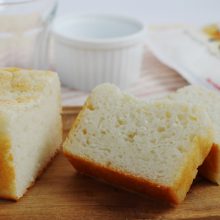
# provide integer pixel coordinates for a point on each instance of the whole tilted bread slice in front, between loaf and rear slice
(152, 148)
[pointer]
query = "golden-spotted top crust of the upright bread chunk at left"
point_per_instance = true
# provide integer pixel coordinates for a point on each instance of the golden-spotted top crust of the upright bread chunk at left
(22, 86)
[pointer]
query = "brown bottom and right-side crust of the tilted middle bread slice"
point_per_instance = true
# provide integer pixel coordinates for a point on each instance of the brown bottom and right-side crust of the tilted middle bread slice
(173, 194)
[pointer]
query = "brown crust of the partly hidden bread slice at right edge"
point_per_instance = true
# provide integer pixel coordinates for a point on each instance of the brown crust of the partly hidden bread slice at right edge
(211, 166)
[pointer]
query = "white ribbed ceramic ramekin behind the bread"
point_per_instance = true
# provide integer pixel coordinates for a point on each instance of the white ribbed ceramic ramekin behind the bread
(92, 49)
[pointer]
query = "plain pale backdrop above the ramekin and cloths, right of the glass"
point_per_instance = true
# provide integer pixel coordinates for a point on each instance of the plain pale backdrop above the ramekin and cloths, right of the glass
(150, 11)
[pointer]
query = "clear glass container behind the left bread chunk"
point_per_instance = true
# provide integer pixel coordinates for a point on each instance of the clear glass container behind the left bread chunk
(24, 32)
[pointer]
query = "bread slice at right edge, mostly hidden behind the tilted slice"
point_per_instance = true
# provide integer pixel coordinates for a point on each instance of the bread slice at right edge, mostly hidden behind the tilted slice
(210, 101)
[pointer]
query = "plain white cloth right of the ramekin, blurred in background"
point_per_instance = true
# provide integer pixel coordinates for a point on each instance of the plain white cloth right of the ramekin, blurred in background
(177, 48)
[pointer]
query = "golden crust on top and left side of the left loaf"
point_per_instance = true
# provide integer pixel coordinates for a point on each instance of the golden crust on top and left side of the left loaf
(17, 86)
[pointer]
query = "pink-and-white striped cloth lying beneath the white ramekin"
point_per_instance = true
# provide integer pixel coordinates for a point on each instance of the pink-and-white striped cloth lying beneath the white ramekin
(156, 80)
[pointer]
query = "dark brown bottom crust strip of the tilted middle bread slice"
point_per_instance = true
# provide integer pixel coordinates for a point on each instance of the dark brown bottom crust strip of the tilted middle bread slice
(123, 180)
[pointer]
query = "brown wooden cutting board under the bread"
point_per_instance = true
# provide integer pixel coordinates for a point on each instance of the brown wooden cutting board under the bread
(61, 193)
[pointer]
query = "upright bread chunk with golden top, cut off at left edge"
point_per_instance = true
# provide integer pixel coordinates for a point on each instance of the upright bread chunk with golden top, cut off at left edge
(30, 127)
